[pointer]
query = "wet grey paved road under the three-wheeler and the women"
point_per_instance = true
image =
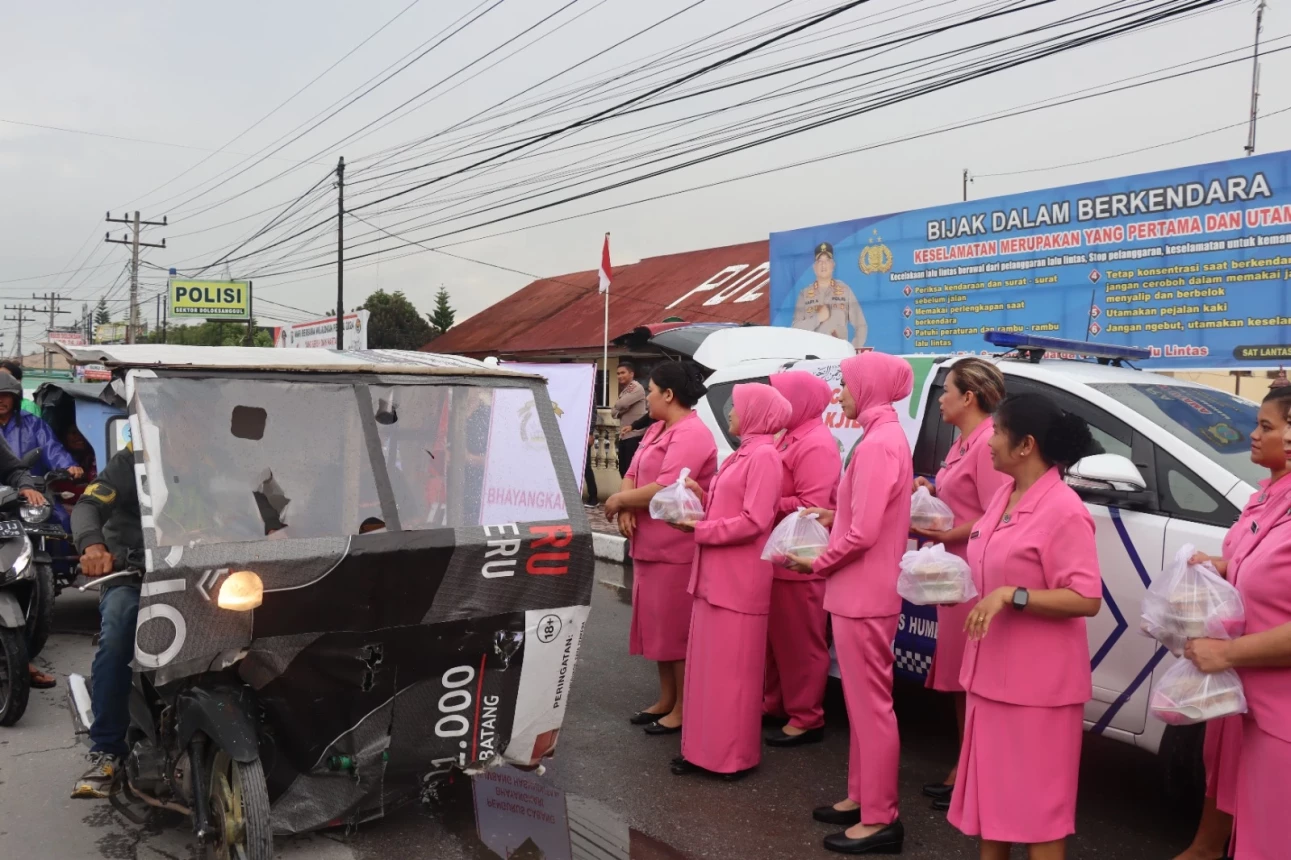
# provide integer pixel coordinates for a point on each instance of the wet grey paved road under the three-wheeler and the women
(620, 791)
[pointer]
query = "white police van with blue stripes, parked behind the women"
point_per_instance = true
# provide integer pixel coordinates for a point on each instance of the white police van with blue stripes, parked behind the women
(1177, 471)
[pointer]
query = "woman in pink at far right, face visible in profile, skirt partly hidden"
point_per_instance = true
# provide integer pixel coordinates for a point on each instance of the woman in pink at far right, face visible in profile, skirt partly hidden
(1225, 737)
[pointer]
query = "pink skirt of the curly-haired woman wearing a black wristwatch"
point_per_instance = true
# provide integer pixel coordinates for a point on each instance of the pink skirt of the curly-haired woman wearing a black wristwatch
(1019, 772)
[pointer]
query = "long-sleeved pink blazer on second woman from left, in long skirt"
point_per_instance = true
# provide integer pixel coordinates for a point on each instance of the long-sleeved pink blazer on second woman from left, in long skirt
(742, 512)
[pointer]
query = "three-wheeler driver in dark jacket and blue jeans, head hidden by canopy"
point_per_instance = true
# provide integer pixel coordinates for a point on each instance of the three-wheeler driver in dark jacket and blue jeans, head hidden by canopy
(109, 535)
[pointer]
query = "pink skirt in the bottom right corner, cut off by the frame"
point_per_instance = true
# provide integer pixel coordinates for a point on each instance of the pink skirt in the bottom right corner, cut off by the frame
(1259, 824)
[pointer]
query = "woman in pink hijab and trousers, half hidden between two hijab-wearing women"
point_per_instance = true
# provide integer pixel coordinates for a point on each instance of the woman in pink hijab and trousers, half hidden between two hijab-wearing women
(796, 630)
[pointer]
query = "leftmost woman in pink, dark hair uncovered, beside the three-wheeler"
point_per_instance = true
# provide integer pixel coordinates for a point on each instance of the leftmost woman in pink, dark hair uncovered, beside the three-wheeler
(662, 556)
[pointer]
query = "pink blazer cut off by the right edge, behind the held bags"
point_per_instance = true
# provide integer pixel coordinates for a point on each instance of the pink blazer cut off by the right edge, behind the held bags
(1262, 573)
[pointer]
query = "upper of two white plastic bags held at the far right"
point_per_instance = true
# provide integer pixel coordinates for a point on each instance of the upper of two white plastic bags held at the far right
(1191, 602)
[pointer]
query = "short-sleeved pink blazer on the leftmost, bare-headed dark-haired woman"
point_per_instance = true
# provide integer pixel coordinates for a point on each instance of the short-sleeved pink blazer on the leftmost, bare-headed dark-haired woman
(663, 455)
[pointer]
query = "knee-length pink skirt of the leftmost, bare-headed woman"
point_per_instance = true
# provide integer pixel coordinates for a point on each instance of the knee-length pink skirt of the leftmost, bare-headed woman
(662, 611)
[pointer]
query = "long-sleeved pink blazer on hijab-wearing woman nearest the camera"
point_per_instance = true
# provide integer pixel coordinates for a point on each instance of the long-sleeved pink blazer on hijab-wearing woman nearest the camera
(872, 525)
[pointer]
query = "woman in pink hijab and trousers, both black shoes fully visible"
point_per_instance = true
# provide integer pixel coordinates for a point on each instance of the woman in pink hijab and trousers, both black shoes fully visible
(869, 535)
